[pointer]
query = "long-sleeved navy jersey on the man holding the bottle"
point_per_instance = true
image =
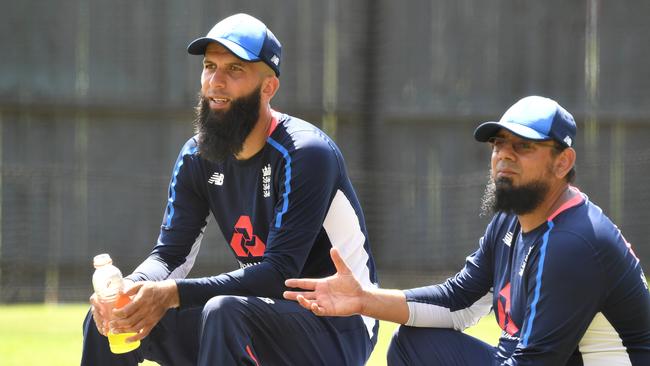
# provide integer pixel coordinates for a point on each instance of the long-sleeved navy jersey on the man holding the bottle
(280, 211)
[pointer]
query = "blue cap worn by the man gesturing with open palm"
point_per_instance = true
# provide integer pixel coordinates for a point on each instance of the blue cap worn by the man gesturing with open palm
(534, 118)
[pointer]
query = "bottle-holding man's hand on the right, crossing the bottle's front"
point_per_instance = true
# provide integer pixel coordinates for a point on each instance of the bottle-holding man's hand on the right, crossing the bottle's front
(150, 302)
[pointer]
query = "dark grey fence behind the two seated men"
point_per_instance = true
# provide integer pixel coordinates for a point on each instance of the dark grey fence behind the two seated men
(96, 100)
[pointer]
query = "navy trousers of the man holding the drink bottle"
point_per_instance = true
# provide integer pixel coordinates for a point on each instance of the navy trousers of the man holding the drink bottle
(237, 330)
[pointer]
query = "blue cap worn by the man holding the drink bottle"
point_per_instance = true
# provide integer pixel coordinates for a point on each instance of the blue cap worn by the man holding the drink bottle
(246, 37)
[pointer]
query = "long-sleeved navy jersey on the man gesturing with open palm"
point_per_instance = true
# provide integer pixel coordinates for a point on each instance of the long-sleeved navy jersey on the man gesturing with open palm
(570, 292)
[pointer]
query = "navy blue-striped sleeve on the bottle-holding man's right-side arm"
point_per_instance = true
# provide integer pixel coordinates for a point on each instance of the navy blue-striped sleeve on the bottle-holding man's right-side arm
(311, 173)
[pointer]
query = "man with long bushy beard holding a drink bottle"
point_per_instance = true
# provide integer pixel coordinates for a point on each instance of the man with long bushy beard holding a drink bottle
(278, 188)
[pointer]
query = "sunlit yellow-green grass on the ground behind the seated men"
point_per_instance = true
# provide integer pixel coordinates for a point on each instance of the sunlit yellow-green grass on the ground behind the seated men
(51, 335)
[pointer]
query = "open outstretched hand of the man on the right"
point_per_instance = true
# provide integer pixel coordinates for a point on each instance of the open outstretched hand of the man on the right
(336, 295)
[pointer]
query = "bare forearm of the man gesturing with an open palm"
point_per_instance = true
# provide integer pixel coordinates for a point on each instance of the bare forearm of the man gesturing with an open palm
(383, 304)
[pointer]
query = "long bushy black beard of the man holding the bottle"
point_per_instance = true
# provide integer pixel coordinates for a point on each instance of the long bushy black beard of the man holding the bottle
(222, 133)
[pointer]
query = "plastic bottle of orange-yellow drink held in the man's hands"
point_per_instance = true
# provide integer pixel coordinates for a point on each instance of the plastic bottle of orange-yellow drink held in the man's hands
(109, 285)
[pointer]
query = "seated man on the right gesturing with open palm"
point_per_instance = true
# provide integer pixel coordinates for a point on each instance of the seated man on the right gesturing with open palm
(565, 286)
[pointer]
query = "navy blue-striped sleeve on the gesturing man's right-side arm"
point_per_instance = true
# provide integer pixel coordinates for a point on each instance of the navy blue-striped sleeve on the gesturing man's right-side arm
(562, 299)
